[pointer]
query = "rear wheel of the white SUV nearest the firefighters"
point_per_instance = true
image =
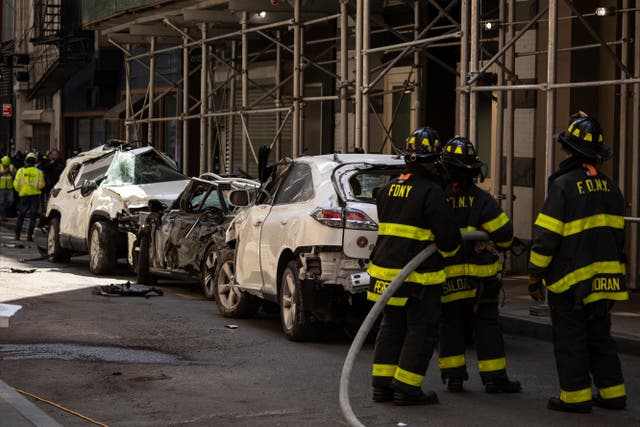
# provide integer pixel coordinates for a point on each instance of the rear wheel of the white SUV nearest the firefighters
(297, 324)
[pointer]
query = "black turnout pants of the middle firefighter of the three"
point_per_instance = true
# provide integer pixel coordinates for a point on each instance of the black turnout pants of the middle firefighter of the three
(481, 314)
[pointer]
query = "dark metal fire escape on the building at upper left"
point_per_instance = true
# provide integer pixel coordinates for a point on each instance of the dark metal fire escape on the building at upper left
(61, 47)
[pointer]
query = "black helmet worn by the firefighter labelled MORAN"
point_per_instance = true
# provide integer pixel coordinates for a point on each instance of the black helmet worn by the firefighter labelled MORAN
(584, 137)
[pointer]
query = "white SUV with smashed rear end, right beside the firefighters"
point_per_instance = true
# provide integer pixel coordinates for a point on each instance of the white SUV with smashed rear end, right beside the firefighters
(304, 242)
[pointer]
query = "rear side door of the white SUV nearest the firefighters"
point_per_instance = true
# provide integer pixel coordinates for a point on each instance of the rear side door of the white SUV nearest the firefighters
(282, 223)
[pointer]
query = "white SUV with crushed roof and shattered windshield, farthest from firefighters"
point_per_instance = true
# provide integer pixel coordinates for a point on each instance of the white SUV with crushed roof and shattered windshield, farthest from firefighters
(92, 207)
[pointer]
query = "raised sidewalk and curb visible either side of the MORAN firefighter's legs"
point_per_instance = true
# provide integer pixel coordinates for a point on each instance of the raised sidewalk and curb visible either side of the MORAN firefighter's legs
(517, 320)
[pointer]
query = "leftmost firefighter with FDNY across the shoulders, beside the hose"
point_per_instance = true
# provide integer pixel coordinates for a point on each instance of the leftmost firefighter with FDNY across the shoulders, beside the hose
(412, 214)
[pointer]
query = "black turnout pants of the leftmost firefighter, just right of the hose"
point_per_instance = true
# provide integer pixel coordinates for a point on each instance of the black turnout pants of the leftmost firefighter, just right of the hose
(405, 342)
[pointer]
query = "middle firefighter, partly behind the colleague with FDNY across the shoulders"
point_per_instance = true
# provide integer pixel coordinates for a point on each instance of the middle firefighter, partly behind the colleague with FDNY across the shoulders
(470, 295)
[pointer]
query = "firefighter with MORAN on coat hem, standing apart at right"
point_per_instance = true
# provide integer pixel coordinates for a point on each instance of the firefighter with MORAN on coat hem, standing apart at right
(578, 256)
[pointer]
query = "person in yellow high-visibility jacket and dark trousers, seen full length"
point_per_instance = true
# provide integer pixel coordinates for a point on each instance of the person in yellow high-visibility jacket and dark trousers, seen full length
(29, 183)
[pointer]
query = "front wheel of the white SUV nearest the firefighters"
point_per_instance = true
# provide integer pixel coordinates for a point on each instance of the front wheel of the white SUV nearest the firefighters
(231, 301)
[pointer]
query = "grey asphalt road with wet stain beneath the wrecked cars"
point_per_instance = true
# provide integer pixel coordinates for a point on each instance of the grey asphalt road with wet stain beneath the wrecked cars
(172, 360)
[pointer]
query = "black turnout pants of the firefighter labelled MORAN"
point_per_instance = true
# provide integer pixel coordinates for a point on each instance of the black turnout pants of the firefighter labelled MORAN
(583, 346)
